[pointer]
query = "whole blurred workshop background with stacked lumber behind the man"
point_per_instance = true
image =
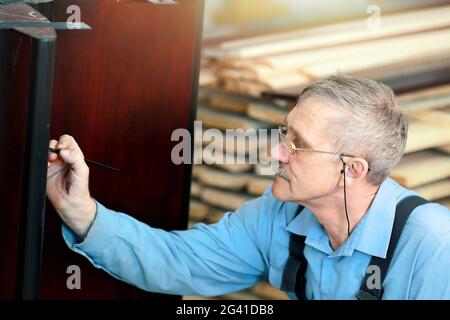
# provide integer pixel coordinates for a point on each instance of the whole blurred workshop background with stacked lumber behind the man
(258, 55)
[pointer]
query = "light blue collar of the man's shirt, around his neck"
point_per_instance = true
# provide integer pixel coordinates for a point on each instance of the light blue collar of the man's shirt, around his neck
(371, 235)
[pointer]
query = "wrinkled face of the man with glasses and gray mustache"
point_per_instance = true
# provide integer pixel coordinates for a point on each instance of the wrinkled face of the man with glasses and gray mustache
(304, 175)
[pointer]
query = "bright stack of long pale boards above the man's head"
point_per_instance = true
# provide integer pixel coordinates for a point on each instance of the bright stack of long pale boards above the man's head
(293, 59)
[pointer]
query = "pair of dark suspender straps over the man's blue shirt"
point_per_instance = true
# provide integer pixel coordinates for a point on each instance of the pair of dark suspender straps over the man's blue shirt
(294, 279)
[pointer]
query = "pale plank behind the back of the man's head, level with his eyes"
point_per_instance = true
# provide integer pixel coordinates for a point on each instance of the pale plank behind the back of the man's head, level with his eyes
(423, 136)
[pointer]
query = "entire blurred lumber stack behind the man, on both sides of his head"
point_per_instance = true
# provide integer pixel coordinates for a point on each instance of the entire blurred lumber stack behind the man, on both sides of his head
(236, 74)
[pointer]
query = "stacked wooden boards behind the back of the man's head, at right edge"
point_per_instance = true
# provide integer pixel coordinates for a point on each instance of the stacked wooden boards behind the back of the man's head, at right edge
(425, 167)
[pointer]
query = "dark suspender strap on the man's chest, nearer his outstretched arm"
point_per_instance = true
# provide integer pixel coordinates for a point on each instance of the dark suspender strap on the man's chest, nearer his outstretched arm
(294, 272)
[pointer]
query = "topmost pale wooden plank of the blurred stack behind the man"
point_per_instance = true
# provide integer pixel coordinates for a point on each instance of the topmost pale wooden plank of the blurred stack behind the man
(330, 35)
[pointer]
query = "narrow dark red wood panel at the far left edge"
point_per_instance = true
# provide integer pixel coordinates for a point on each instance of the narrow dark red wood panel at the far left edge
(14, 76)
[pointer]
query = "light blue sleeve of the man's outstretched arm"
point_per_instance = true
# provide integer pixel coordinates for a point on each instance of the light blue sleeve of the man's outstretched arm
(205, 260)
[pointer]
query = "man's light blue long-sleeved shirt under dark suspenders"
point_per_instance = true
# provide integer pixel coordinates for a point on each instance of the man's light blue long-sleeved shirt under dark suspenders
(251, 244)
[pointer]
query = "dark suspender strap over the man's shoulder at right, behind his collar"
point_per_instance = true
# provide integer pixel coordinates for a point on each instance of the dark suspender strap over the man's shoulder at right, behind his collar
(402, 213)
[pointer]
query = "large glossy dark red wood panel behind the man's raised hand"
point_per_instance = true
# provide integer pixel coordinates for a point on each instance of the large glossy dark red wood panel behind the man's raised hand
(121, 90)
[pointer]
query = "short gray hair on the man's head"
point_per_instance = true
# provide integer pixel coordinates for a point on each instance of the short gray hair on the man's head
(373, 125)
